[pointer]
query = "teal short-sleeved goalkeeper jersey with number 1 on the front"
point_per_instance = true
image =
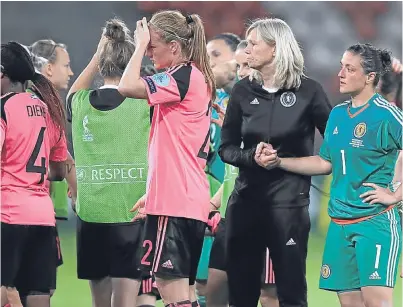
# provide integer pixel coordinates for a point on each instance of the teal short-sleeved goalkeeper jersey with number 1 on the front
(362, 144)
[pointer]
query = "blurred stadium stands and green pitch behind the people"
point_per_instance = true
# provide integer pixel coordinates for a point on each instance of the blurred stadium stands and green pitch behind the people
(324, 30)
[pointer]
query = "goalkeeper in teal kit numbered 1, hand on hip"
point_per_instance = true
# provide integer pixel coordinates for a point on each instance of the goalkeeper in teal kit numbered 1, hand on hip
(362, 140)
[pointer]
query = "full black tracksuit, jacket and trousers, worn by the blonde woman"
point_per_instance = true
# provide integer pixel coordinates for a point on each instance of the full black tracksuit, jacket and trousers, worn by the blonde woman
(269, 208)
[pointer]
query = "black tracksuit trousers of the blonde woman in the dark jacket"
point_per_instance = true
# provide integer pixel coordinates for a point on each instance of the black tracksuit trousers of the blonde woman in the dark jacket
(253, 225)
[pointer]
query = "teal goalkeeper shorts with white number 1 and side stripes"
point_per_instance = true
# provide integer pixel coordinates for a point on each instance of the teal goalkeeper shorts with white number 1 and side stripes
(362, 254)
